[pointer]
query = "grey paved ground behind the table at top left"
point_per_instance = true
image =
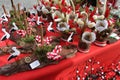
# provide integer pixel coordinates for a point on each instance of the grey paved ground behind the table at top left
(7, 3)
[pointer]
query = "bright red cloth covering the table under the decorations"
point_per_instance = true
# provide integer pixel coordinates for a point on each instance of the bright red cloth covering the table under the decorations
(62, 70)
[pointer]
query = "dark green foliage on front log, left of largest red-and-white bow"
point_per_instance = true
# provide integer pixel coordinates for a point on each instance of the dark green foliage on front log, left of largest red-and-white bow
(41, 52)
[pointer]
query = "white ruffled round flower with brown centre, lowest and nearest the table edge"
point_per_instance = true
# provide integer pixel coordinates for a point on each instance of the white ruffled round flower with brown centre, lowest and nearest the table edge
(88, 37)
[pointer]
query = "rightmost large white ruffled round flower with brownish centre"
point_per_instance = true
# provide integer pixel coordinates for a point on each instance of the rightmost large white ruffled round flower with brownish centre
(101, 25)
